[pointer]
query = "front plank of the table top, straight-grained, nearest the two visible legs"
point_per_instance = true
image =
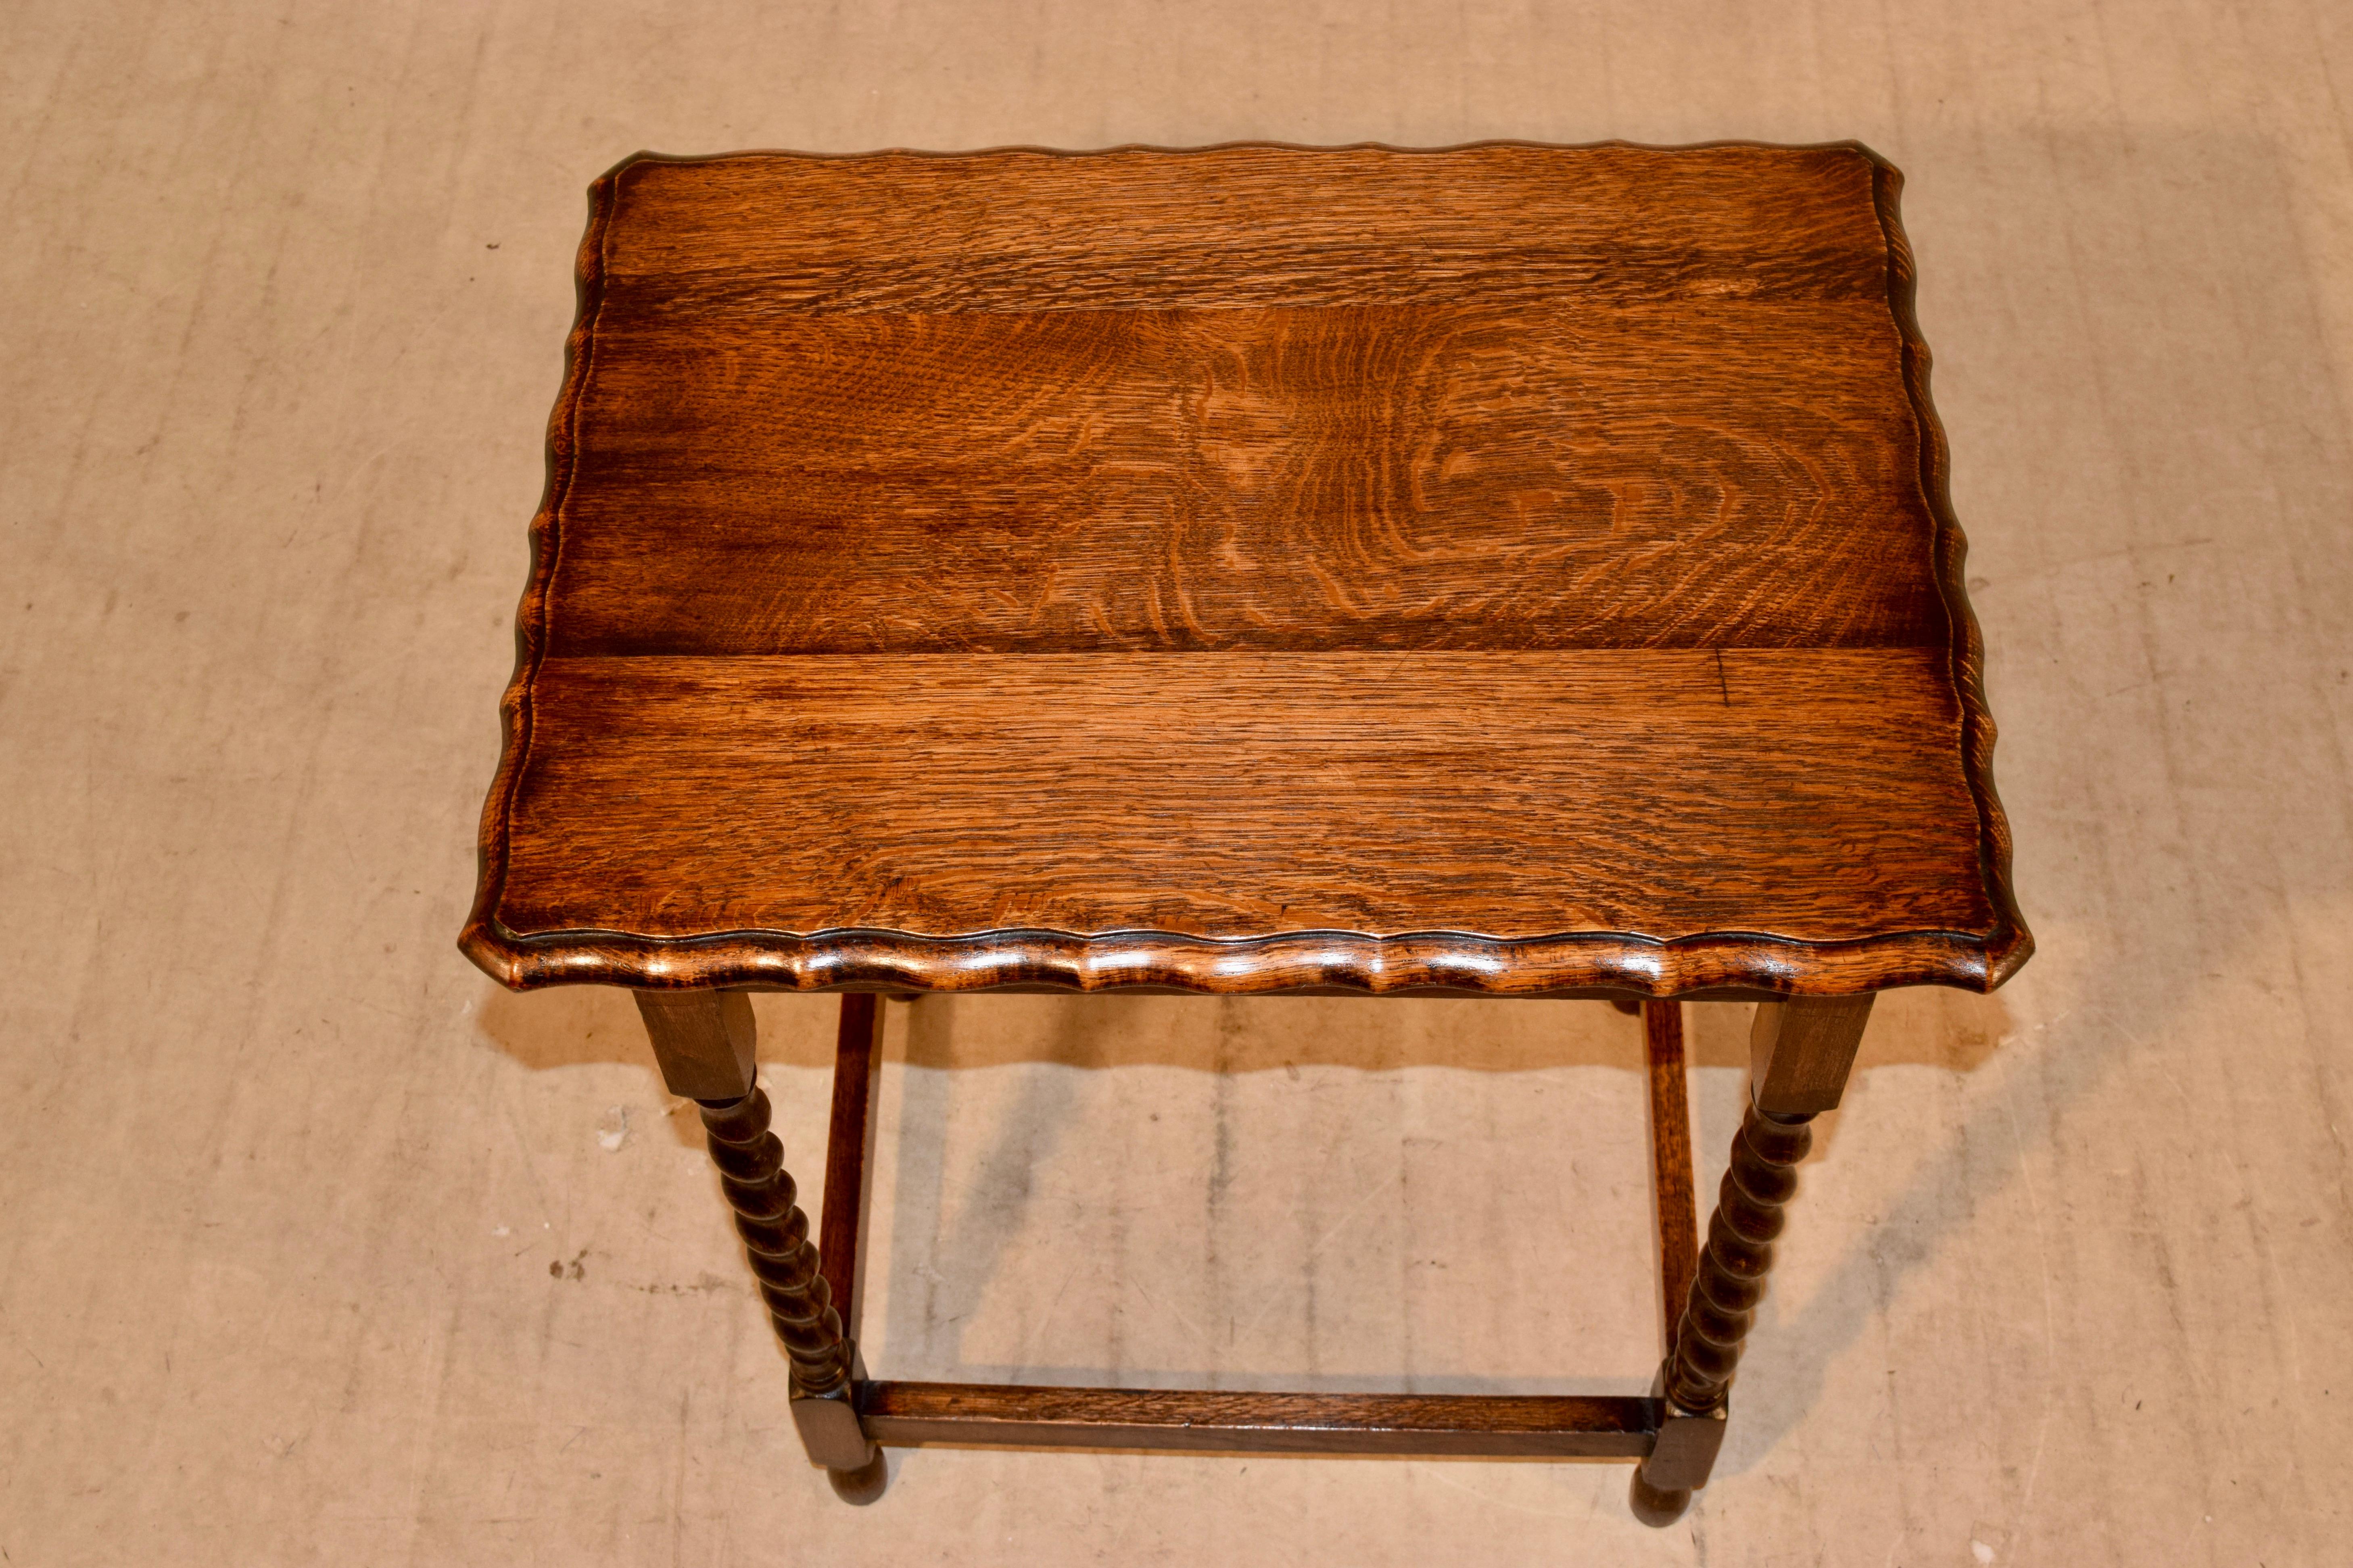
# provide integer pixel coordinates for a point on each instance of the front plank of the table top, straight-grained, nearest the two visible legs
(1347, 808)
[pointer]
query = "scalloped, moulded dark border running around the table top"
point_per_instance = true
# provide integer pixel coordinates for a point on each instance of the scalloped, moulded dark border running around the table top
(1345, 963)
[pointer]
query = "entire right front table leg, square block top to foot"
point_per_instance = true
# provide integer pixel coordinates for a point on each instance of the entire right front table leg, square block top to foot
(1799, 1059)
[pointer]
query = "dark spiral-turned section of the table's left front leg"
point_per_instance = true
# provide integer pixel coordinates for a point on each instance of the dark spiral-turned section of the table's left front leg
(778, 1242)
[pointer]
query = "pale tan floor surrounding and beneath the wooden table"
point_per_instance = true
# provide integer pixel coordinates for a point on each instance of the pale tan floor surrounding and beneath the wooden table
(316, 1247)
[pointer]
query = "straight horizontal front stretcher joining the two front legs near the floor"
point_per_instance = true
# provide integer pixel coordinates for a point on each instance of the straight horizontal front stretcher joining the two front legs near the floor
(1258, 1423)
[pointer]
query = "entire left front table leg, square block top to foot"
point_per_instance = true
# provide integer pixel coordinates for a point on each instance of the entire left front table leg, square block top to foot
(705, 1045)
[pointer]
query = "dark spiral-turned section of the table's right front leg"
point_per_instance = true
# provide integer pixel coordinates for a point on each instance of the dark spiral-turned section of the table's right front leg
(1733, 1268)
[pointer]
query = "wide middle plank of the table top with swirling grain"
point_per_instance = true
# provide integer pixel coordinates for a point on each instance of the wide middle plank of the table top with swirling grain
(1345, 478)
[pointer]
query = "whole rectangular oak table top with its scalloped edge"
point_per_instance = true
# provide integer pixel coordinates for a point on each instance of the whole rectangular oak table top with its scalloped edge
(1500, 570)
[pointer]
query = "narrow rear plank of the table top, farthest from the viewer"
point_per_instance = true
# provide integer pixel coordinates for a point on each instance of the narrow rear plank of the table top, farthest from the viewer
(1239, 227)
